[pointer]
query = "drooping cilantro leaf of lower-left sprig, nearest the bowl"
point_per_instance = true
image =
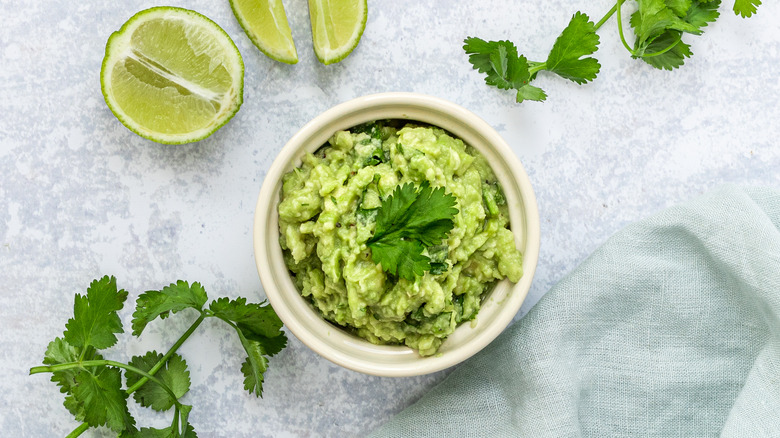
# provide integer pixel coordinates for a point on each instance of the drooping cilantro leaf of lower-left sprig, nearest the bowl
(259, 330)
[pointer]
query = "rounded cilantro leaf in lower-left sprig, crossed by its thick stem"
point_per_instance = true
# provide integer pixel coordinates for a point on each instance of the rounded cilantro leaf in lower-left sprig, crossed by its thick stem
(174, 374)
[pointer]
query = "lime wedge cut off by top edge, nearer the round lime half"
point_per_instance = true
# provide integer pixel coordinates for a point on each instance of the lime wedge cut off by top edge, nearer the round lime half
(265, 23)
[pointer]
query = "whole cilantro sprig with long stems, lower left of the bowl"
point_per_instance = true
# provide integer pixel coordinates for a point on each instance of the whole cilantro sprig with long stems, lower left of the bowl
(93, 385)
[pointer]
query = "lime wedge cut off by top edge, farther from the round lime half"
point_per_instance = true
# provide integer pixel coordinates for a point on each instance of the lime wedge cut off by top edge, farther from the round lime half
(336, 26)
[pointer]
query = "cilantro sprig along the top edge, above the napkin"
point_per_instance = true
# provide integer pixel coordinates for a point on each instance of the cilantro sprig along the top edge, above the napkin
(658, 27)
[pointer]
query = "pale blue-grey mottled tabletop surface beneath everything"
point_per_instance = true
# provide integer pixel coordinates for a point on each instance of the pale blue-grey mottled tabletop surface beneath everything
(81, 196)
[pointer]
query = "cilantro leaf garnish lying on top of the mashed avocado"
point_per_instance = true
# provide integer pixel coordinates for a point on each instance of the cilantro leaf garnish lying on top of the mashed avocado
(408, 221)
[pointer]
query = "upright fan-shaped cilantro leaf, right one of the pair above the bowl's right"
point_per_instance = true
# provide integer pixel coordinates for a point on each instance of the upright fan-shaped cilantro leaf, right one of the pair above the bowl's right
(577, 40)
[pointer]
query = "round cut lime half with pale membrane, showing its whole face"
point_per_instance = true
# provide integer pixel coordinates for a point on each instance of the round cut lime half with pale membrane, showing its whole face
(172, 75)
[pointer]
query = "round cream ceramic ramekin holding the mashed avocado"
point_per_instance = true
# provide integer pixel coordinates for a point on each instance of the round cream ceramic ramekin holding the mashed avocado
(337, 345)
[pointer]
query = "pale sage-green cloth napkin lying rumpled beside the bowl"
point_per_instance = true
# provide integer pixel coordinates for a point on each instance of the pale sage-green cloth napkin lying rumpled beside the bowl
(670, 329)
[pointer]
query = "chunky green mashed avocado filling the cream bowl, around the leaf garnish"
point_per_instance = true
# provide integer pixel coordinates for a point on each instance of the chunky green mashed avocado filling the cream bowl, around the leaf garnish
(327, 213)
